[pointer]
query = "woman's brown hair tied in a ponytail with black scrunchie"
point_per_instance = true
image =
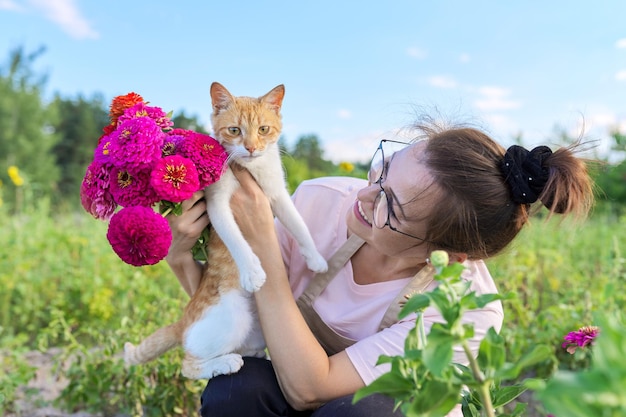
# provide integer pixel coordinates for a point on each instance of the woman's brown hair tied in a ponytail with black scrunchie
(485, 199)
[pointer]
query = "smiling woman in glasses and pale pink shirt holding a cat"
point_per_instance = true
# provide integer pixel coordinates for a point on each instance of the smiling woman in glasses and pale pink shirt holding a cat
(455, 190)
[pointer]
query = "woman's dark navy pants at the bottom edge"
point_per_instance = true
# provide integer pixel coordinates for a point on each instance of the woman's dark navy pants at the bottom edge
(254, 392)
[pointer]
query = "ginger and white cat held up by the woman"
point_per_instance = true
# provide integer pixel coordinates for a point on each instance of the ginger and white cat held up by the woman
(220, 324)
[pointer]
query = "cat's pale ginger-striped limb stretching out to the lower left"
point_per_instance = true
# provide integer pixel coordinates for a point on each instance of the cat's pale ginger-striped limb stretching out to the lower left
(154, 345)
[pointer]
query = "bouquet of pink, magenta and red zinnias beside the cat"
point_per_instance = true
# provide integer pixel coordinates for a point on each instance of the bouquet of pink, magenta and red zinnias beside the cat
(140, 162)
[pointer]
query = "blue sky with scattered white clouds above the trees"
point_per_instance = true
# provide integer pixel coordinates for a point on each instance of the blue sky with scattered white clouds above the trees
(354, 72)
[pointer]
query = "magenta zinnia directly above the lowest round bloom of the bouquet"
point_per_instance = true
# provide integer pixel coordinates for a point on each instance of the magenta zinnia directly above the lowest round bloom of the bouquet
(132, 189)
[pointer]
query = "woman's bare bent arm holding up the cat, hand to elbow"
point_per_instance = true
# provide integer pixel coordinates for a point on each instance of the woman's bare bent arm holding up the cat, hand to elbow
(307, 376)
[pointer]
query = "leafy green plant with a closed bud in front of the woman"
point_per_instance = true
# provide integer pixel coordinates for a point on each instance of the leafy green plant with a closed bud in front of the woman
(426, 382)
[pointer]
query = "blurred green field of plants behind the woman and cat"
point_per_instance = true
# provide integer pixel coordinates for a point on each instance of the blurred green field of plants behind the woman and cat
(65, 293)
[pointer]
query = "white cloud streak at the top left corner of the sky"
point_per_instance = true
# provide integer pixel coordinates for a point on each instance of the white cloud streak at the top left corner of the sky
(65, 13)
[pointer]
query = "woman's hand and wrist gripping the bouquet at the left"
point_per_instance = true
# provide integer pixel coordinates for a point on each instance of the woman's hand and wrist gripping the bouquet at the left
(186, 229)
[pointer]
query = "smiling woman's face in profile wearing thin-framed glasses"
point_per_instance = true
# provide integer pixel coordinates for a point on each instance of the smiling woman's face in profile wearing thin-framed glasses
(410, 198)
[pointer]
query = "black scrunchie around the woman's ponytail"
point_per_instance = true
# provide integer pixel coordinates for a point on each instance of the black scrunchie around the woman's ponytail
(524, 172)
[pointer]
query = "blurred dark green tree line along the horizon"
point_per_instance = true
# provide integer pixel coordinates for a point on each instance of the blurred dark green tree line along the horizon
(51, 144)
